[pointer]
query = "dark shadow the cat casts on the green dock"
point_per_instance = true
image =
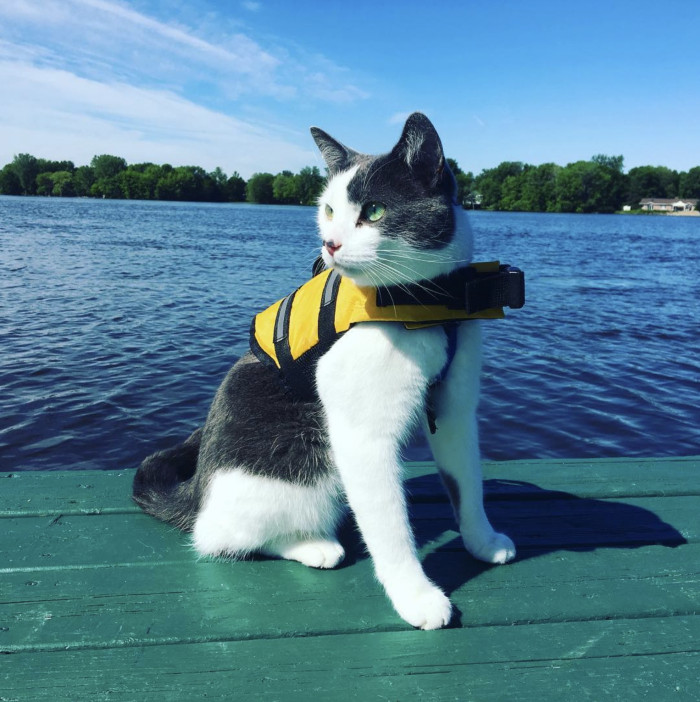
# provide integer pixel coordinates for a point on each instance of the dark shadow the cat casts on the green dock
(539, 521)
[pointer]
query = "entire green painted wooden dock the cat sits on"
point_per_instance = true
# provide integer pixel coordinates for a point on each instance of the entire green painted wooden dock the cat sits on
(101, 602)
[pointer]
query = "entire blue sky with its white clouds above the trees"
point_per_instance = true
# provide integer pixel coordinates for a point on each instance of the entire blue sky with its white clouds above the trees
(237, 84)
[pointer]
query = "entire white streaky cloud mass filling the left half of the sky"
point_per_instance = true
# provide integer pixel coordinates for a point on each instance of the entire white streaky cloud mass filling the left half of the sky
(81, 77)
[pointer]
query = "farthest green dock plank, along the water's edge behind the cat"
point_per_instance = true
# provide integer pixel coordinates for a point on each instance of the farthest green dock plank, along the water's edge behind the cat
(102, 492)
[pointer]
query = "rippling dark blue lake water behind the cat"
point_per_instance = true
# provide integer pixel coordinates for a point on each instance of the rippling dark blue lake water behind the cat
(118, 320)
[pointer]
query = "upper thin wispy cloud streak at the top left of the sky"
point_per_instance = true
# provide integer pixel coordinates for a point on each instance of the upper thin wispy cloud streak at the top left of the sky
(102, 38)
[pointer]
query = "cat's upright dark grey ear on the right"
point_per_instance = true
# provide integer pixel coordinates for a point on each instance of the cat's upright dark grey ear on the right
(421, 149)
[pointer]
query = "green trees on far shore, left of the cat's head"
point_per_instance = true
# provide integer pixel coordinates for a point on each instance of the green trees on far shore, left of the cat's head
(111, 177)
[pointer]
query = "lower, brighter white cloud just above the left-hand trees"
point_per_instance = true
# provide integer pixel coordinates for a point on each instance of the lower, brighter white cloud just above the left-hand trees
(56, 114)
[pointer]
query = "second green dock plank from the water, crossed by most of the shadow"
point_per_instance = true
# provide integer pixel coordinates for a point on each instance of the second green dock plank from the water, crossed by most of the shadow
(36, 542)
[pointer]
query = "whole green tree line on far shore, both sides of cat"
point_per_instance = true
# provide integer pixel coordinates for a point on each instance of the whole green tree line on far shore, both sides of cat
(597, 185)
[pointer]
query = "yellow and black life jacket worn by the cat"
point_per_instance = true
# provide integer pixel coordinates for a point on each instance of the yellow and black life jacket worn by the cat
(297, 330)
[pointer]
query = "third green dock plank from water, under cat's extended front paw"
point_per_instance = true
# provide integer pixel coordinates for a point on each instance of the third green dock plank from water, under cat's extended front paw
(218, 601)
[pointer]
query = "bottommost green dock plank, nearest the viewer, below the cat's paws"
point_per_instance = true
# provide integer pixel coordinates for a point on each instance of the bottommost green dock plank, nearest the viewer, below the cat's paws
(653, 659)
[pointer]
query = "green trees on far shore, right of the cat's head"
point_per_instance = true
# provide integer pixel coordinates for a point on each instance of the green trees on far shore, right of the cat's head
(599, 185)
